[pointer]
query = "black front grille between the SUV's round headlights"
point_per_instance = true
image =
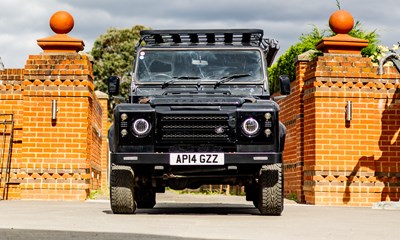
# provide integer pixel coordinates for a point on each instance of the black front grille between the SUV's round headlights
(195, 128)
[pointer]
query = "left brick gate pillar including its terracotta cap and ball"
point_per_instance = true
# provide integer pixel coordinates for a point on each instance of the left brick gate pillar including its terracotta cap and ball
(61, 135)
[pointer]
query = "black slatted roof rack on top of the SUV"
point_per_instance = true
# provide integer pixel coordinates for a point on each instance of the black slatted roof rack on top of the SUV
(250, 37)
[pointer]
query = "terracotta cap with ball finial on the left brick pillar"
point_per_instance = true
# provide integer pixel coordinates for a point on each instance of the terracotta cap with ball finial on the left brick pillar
(61, 23)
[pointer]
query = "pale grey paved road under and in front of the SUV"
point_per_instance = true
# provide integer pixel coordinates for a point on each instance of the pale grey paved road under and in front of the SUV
(192, 217)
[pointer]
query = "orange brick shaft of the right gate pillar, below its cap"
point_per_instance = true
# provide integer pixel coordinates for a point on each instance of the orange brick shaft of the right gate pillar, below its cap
(336, 149)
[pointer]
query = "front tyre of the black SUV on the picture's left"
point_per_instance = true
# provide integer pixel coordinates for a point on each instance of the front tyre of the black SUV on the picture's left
(122, 190)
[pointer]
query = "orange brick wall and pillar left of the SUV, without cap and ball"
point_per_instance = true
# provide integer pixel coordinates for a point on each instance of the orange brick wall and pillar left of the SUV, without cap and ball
(60, 158)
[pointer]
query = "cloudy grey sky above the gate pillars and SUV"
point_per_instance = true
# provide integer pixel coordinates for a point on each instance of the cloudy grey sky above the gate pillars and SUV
(22, 22)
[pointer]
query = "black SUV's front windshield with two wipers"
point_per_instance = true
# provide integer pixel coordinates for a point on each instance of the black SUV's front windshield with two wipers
(228, 65)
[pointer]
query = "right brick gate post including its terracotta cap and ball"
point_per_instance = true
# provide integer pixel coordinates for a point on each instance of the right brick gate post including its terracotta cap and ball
(350, 148)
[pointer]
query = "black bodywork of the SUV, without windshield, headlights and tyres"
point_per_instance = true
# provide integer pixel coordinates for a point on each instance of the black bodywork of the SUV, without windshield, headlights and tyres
(199, 118)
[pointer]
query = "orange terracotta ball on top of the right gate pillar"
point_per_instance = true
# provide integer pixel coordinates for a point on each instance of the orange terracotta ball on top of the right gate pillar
(341, 22)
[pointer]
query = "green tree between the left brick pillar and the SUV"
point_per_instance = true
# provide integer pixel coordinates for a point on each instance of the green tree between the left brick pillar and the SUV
(113, 54)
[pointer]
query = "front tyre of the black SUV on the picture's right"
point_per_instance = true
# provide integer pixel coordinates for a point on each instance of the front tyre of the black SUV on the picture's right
(271, 190)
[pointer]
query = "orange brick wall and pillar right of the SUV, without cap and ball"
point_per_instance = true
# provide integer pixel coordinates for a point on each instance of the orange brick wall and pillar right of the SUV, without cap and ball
(353, 162)
